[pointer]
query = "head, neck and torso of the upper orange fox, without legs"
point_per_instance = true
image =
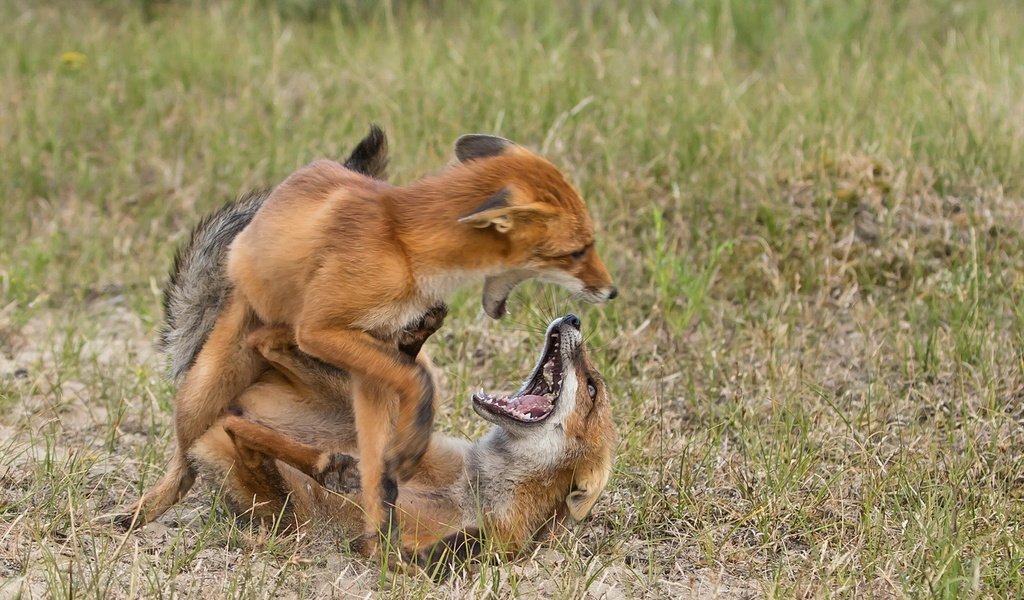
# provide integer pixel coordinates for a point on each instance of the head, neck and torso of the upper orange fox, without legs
(361, 254)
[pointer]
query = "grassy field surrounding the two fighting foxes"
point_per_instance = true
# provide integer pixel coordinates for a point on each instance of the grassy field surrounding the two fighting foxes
(814, 211)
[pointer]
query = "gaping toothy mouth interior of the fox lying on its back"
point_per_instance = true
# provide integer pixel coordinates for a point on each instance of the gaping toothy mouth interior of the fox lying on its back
(536, 400)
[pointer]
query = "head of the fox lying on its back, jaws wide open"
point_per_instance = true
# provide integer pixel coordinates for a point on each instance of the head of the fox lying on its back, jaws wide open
(562, 416)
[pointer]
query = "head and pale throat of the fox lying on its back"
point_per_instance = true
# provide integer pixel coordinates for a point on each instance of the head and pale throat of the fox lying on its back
(557, 431)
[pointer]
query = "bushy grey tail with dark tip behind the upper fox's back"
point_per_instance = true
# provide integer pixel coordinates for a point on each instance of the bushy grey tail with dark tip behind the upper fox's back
(198, 287)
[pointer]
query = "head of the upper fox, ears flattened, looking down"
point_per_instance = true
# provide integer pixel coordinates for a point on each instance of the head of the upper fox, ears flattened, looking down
(548, 230)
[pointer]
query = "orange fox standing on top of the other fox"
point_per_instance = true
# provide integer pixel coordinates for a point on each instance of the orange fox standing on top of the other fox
(347, 262)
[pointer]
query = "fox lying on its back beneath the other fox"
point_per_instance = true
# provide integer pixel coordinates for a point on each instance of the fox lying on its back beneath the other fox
(547, 458)
